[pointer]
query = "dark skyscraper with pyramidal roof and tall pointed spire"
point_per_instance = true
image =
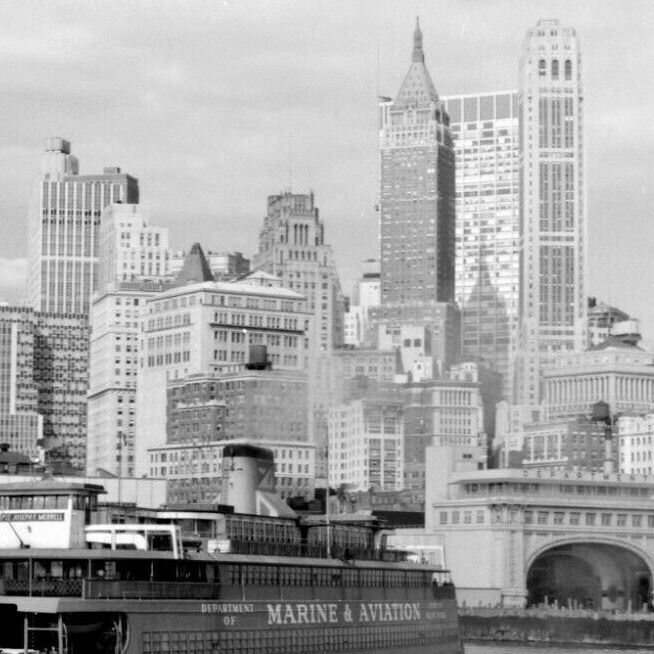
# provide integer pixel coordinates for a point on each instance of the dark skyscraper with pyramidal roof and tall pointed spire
(417, 192)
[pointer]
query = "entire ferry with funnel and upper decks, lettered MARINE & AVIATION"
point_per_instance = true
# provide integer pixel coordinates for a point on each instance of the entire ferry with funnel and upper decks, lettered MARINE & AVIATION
(71, 583)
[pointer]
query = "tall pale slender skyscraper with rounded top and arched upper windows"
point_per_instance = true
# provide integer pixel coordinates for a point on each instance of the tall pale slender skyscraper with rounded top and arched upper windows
(553, 221)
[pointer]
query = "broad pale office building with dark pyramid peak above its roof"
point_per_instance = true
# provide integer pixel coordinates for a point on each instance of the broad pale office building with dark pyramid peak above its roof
(200, 326)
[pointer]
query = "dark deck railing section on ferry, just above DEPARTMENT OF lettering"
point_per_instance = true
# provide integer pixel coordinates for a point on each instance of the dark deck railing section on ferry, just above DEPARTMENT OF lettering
(132, 589)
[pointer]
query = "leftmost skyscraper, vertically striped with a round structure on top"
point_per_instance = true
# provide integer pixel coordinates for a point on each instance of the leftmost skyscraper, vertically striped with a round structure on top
(64, 229)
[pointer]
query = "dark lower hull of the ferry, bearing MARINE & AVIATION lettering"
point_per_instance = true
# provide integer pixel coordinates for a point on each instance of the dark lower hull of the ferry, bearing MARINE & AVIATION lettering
(248, 627)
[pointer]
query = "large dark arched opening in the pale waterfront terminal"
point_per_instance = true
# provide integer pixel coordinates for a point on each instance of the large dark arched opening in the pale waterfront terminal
(590, 575)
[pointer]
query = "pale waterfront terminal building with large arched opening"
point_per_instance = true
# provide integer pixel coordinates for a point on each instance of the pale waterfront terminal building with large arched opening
(542, 536)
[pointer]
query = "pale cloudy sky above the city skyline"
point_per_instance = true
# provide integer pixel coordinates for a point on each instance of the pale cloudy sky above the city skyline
(216, 105)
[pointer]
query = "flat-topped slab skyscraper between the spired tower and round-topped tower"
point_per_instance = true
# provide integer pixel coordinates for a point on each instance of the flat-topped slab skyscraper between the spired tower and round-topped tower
(485, 128)
